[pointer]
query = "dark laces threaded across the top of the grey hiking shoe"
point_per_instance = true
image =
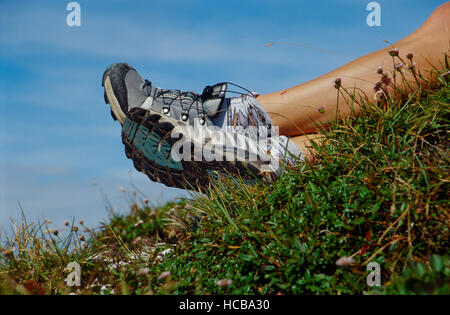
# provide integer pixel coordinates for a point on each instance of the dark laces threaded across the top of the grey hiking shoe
(192, 96)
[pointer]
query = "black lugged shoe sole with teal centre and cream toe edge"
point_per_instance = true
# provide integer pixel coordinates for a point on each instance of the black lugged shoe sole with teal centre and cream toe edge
(148, 143)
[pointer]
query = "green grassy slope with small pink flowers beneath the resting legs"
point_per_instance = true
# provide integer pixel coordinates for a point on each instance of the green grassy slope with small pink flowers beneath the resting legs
(375, 191)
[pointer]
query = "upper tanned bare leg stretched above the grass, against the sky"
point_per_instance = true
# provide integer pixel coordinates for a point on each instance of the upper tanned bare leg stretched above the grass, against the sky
(296, 110)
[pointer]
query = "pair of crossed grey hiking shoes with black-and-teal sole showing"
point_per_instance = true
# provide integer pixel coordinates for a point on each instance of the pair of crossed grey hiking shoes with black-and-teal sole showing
(186, 139)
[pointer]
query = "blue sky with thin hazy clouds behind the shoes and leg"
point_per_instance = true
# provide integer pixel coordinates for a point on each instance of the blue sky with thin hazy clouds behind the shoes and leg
(56, 135)
